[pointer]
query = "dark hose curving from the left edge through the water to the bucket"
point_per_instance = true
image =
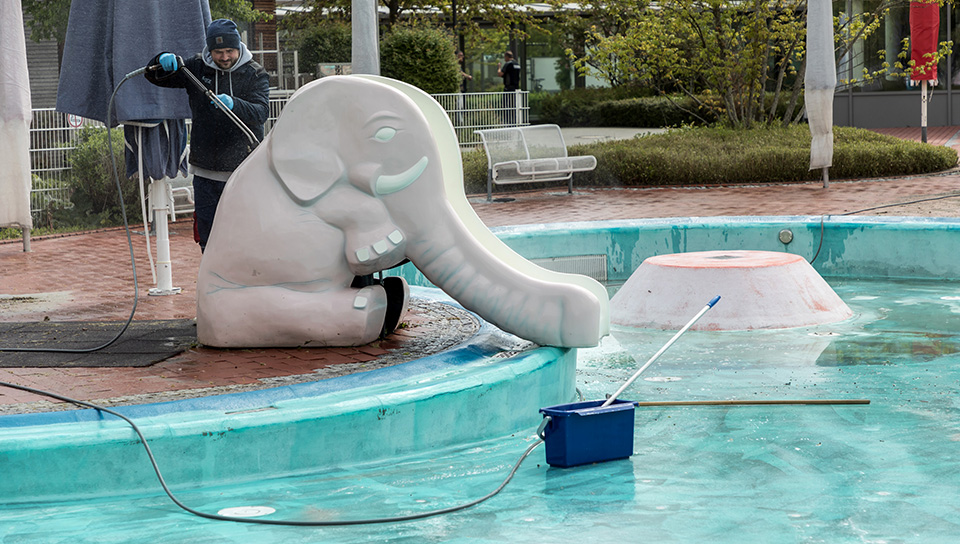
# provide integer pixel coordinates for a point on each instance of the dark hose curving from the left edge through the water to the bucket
(293, 523)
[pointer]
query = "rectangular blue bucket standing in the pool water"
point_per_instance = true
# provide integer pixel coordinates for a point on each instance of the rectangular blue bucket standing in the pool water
(587, 432)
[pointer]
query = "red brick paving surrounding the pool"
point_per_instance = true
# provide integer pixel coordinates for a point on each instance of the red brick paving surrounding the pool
(86, 277)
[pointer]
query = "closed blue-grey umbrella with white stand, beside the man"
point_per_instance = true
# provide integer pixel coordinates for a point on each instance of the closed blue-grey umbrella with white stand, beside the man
(108, 39)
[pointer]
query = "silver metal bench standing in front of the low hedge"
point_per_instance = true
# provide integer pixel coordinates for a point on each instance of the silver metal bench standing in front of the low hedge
(529, 154)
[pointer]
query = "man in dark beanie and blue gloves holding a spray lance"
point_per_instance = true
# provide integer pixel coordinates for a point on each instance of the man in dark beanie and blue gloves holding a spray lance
(217, 145)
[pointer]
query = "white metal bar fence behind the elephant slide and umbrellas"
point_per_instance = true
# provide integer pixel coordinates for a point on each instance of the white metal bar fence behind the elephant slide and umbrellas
(54, 135)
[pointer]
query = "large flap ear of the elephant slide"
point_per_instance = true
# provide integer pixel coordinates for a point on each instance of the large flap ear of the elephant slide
(303, 144)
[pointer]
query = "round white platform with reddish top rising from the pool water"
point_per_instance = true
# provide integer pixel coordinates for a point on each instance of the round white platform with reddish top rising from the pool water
(758, 290)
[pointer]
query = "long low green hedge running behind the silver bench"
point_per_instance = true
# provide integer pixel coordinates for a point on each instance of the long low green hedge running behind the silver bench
(713, 156)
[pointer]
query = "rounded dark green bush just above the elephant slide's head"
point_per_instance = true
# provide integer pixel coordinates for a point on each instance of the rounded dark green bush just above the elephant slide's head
(421, 56)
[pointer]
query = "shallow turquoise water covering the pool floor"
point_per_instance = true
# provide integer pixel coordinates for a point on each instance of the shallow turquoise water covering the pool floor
(884, 472)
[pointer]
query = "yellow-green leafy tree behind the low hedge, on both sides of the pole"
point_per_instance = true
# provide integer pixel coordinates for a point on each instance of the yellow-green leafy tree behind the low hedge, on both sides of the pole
(742, 60)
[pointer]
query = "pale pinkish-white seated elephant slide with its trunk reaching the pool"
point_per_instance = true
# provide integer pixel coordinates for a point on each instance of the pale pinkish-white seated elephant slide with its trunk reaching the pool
(358, 174)
